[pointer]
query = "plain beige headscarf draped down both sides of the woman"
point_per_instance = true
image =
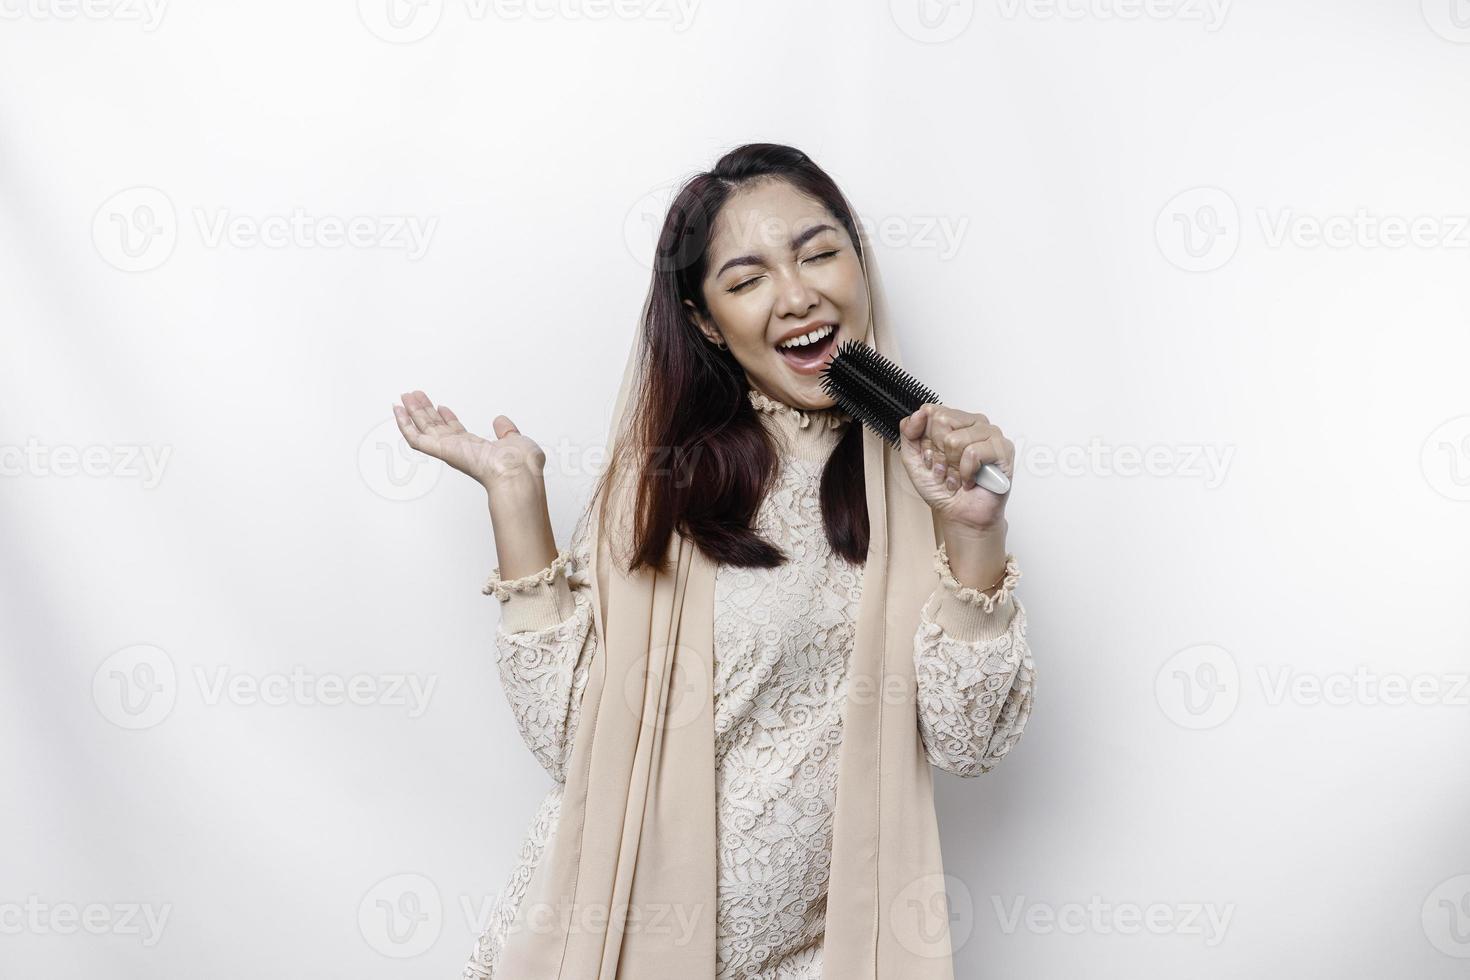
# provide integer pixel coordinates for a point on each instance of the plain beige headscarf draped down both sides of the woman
(627, 887)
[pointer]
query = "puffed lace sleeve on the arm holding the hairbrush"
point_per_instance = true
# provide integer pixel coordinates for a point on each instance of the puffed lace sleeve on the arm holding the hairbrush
(975, 672)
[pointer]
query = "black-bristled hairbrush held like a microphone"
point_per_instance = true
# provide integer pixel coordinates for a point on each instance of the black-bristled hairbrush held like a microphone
(881, 394)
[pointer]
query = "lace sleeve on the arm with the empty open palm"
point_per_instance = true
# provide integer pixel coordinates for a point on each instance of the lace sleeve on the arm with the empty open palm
(545, 666)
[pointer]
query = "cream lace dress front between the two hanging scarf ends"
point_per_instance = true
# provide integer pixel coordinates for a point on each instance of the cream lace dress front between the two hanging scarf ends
(784, 637)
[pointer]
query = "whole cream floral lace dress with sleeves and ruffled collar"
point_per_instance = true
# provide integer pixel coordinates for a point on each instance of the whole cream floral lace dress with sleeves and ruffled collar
(781, 644)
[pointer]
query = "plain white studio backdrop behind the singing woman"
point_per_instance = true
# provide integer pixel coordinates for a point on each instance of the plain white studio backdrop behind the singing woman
(1099, 228)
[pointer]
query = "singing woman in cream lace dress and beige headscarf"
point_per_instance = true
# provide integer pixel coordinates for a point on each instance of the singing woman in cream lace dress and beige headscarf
(742, 671)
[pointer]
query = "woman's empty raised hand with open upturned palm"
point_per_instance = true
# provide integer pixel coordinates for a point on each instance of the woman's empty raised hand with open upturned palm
(439, 433)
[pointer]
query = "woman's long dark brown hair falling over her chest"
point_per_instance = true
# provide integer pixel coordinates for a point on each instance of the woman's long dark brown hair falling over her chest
(714, 461)
